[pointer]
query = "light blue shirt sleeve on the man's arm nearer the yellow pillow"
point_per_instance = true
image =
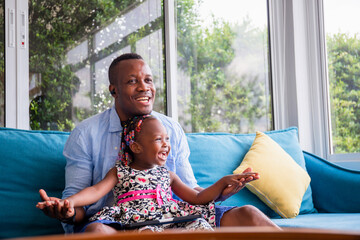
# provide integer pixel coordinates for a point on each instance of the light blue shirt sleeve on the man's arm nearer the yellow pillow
(183, 167)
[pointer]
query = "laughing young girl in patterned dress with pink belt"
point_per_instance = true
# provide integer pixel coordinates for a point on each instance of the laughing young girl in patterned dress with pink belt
(143, 187)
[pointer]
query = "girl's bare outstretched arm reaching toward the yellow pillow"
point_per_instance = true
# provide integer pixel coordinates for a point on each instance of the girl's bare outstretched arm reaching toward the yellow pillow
(212, 192)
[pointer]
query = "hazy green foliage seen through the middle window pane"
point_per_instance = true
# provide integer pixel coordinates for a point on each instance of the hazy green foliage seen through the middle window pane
(221, 100)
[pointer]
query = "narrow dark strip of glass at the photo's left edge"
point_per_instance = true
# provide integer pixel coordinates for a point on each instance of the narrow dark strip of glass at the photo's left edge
(2, 64)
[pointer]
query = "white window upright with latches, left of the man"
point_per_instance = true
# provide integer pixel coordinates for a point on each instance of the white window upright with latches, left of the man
(16, 64)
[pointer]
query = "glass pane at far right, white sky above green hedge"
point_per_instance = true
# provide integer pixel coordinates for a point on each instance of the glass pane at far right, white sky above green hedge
(343, 51)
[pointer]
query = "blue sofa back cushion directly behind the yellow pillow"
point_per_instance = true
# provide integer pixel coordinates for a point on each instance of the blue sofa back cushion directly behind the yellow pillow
(213, 155)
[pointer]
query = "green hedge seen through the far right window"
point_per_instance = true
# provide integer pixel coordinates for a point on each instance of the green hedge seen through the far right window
(344, 77)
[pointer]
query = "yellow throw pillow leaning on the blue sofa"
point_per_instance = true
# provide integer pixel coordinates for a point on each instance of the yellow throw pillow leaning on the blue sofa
(282, 182)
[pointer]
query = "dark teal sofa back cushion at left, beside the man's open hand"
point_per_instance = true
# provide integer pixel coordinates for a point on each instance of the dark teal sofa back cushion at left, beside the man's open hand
(29, 160)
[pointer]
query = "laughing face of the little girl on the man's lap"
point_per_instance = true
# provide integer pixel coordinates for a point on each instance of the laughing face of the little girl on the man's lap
(152, 145)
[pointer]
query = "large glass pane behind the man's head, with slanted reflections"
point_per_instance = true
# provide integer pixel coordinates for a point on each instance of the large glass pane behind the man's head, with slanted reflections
(72, 44)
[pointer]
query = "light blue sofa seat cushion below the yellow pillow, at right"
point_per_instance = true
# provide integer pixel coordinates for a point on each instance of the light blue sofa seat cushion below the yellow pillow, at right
(334, 221)
